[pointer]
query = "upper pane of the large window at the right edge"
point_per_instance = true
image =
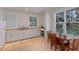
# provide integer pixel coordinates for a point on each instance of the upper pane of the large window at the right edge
(72, 15)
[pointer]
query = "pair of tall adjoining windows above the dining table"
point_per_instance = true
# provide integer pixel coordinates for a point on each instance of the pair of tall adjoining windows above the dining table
(72, 22)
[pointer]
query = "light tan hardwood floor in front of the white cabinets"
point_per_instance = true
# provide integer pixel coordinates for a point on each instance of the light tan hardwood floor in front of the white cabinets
(34, 44)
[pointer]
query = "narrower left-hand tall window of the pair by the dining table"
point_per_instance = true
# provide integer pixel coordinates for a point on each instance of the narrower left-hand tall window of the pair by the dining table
(59, 22)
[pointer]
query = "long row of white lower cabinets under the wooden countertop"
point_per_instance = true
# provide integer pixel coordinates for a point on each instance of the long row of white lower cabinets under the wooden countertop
(22, 34)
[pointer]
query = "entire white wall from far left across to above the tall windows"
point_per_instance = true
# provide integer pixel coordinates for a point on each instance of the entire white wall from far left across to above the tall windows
(48, 19)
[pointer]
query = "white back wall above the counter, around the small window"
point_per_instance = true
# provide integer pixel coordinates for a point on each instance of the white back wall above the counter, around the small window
(22, 18)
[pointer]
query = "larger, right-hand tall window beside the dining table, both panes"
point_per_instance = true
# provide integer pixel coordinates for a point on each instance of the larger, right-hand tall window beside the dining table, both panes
(72, 21)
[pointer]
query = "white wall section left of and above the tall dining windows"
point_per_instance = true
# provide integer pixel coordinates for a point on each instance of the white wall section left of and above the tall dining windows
(53, 17)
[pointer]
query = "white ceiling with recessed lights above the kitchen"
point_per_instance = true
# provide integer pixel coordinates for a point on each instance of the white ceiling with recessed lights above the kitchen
(32, 9)
